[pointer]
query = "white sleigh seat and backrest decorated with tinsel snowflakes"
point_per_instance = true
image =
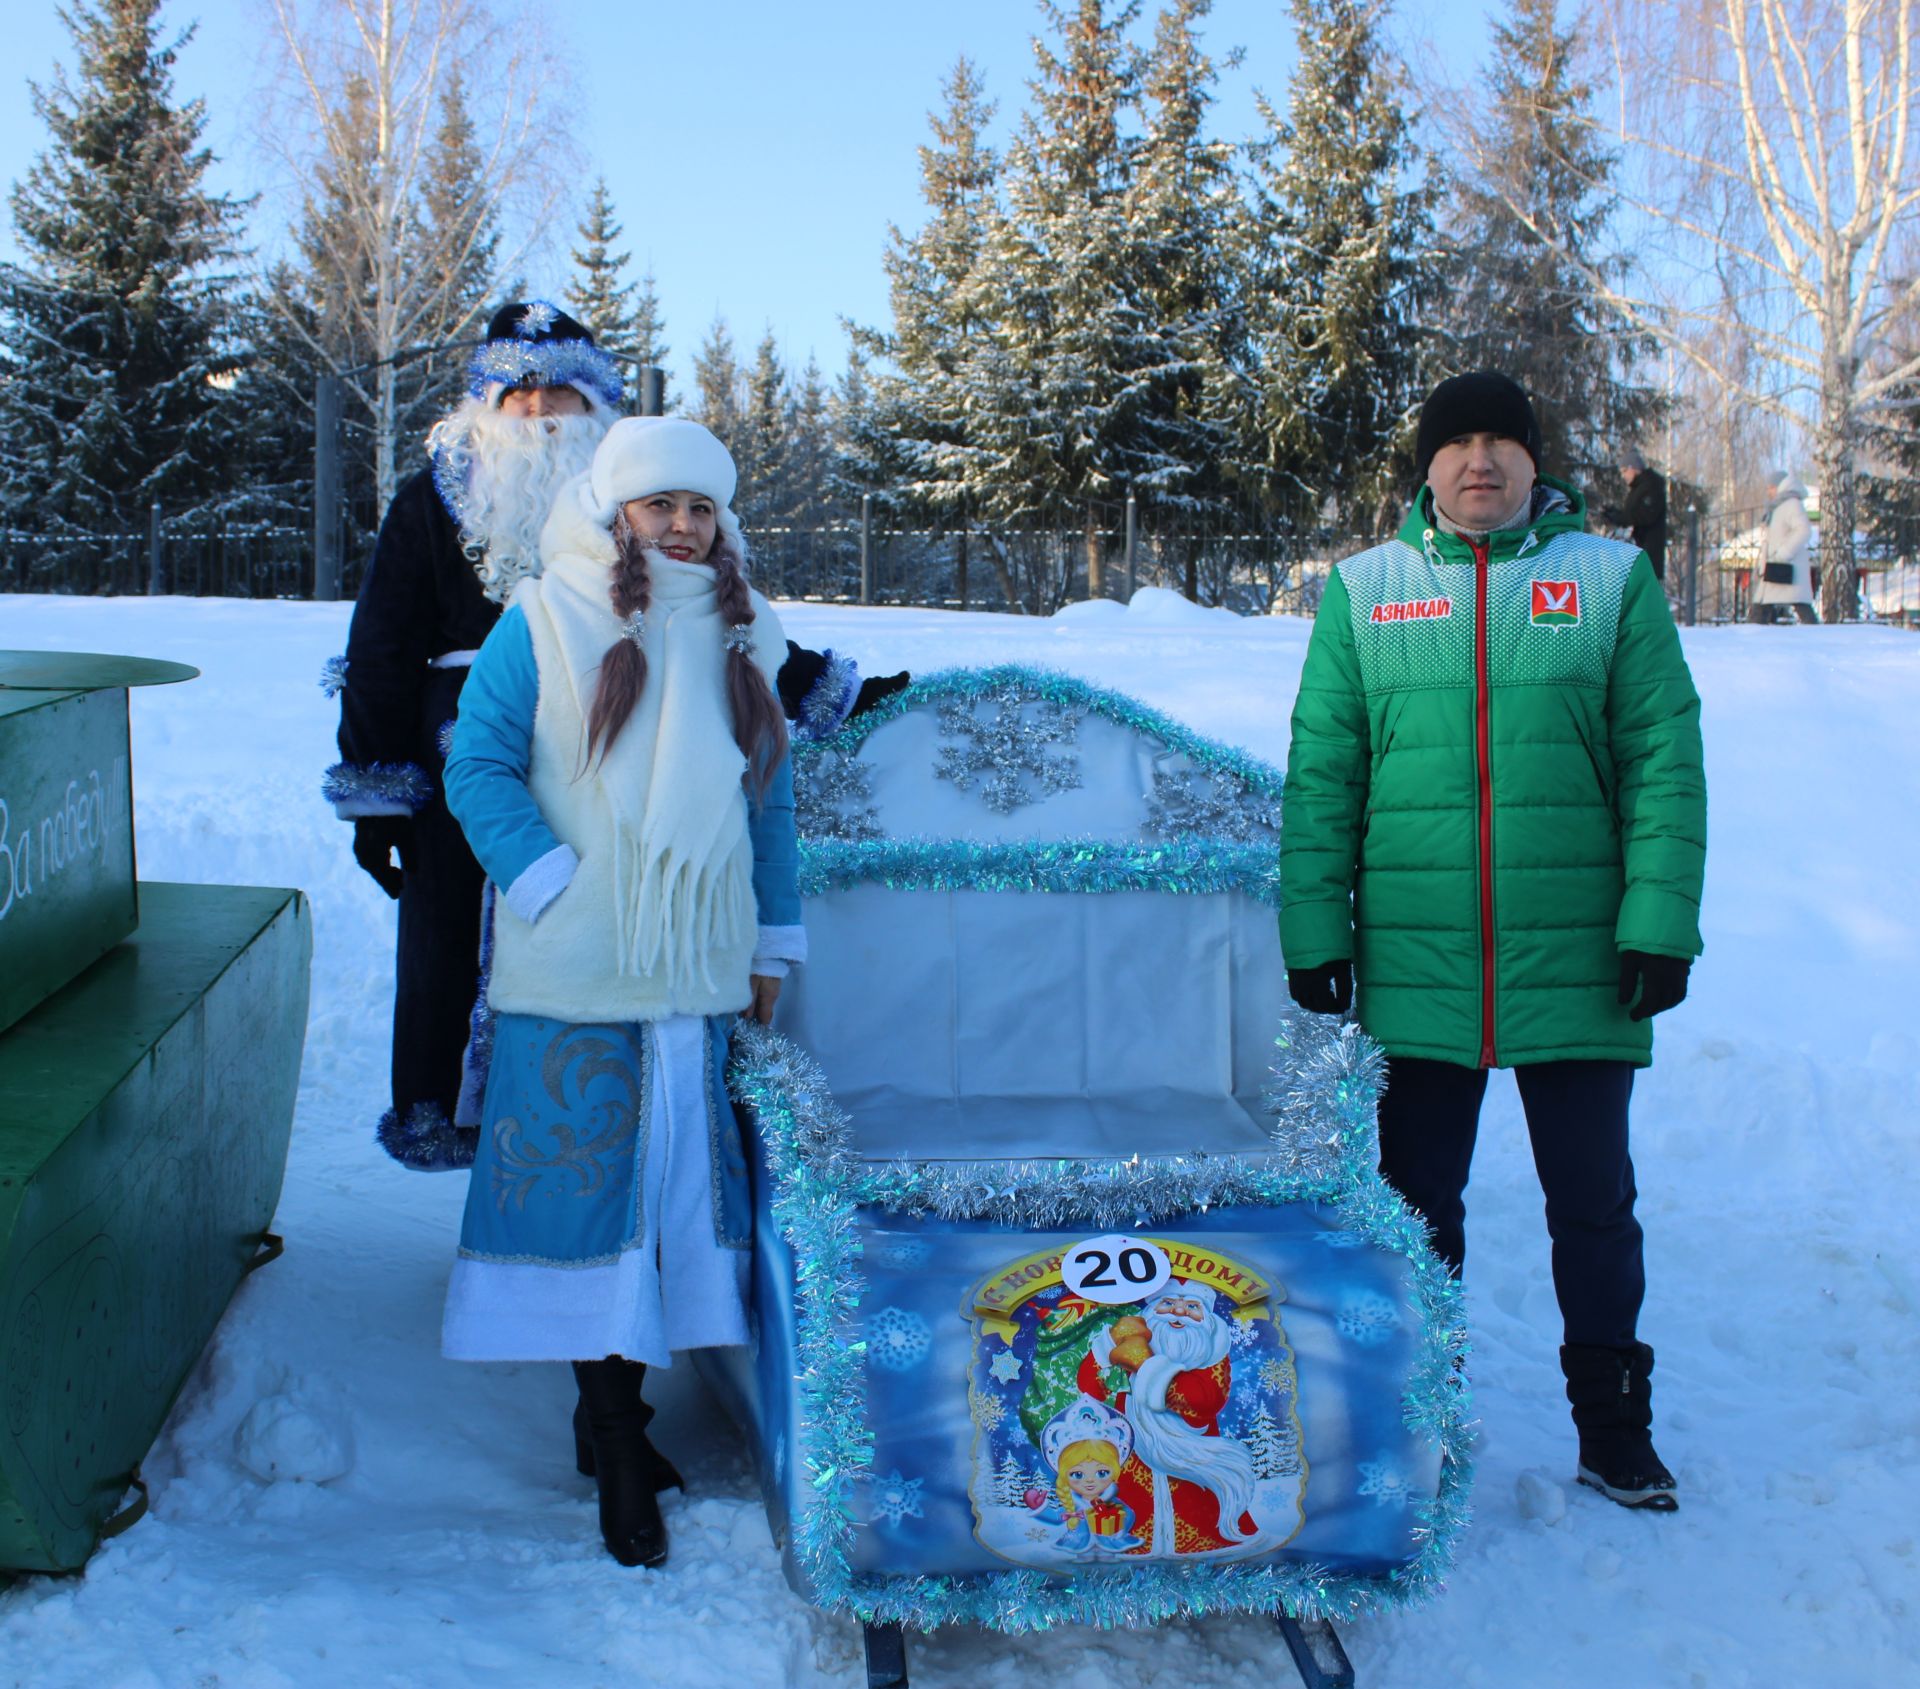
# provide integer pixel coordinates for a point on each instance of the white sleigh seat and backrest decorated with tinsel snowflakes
(999, 959)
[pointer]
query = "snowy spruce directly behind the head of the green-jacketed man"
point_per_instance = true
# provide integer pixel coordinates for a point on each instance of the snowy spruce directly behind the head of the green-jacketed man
(1529, 229)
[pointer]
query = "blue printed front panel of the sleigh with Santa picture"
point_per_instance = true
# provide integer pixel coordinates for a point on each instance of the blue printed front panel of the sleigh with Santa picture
(1247, 1408)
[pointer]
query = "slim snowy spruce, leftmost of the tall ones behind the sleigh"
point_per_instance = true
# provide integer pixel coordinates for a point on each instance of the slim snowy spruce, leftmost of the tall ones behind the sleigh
(923, 396)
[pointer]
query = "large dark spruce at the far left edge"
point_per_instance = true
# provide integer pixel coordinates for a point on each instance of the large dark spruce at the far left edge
(116, 323)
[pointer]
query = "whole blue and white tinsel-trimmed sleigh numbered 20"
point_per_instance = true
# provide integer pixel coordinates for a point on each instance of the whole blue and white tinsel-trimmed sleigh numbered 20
(1078, 1293)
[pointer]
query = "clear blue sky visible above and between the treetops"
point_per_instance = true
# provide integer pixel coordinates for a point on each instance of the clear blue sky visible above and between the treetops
(756, 149)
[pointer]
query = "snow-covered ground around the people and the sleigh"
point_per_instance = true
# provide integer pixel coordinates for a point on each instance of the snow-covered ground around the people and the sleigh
(1775, 1141)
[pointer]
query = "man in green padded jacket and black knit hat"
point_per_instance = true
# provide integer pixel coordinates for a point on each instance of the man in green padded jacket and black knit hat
(1493, 845)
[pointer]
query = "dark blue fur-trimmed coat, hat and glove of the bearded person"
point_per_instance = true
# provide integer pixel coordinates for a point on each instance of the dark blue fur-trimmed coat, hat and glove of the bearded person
(429, 602)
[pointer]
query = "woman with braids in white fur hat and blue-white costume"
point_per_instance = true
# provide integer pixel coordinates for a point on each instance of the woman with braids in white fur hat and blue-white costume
(621, 771)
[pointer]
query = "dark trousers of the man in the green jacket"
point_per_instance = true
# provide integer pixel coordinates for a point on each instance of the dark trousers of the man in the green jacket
(1577, 1122)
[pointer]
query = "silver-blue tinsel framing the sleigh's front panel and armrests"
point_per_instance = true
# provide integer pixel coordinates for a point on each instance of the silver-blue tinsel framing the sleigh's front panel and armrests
(1326, 1091)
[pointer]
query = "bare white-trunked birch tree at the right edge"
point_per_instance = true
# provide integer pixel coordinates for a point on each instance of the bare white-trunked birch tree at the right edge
(1775, 139)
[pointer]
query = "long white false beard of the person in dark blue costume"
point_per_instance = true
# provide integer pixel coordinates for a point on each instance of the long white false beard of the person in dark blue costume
(512, 469)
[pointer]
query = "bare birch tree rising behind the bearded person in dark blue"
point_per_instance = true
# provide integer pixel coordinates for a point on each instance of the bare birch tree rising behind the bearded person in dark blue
(370, 83)
